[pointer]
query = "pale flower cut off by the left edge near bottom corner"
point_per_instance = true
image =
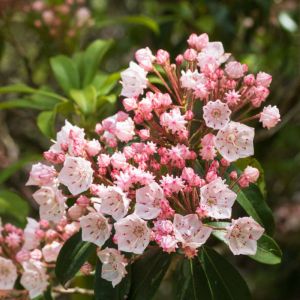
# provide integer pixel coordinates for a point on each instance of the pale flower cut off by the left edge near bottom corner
(8, 274)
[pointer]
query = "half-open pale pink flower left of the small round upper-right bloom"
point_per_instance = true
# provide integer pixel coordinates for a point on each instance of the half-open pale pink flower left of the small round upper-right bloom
(173, 120)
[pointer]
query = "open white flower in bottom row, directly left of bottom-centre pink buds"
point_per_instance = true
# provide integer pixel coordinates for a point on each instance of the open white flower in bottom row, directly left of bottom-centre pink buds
(132, 234)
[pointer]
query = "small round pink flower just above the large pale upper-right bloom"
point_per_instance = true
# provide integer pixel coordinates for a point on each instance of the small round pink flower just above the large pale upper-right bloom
(216, 114)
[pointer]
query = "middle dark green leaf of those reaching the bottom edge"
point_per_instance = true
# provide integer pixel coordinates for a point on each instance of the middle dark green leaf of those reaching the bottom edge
(191, 282)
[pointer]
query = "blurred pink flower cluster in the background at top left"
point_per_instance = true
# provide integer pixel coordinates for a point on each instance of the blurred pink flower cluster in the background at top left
(65, 19)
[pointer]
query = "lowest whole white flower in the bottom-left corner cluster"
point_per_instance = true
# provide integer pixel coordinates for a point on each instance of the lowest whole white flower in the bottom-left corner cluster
(34, 279)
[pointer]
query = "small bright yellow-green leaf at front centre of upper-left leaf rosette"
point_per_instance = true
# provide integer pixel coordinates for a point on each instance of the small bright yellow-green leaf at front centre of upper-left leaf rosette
(86, 99)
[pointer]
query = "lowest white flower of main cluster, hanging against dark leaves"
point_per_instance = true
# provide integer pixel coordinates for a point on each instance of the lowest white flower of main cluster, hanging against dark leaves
(113, 265)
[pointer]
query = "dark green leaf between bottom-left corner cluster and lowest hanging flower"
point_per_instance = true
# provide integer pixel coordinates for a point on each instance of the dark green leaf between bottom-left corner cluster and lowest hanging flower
(72, 256)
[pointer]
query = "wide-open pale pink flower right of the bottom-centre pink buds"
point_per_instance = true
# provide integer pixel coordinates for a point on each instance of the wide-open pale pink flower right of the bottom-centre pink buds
(190, 231)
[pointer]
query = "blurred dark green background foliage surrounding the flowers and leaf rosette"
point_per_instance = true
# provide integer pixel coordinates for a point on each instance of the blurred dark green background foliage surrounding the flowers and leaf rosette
(265, 34)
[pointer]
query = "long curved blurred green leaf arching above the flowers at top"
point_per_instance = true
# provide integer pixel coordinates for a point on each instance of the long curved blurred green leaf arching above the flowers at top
(131, 20)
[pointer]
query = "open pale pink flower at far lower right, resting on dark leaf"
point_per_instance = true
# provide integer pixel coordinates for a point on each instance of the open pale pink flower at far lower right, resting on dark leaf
(242, 236)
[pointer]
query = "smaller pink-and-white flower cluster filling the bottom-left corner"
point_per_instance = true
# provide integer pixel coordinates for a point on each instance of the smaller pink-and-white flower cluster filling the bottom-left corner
(30, 254)
